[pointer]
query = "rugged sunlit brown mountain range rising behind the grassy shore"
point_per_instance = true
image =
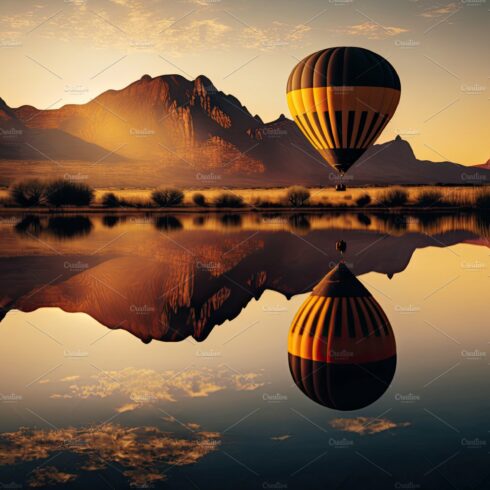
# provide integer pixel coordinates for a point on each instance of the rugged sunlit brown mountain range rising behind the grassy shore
(185, 128)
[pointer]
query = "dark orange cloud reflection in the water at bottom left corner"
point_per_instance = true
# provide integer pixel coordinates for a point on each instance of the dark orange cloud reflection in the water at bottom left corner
(140, 451)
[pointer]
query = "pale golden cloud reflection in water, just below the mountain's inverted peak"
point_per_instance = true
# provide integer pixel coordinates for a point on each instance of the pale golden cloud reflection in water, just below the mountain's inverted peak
(148, 386)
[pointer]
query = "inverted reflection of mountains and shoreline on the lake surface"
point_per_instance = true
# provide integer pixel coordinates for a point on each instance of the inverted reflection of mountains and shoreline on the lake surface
(167, 277)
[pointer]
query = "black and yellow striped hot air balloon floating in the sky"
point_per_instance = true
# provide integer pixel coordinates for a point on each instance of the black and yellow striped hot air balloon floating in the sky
(342, 98)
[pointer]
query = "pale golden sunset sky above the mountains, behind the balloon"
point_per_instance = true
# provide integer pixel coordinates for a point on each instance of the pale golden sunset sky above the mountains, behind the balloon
(58, 52)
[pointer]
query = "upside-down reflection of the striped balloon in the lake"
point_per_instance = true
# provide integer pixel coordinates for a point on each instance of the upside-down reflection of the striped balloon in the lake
(341, 347)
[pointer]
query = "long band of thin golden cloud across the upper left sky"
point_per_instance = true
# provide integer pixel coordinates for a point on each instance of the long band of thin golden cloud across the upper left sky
(133, 25)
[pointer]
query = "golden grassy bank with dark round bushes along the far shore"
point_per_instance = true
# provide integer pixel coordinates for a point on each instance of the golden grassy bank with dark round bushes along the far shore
(204, 200)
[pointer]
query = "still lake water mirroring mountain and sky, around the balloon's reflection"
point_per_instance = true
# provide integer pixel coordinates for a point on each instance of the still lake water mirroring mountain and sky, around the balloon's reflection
(152, 352)
